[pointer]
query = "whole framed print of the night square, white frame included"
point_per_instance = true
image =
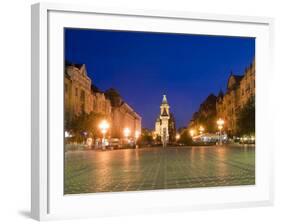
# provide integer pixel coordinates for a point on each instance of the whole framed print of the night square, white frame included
(148, 111)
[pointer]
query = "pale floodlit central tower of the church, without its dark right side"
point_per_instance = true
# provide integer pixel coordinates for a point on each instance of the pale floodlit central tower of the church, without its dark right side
(162, 123)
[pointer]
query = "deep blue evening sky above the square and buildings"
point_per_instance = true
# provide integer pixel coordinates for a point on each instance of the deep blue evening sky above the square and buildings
(144, 66)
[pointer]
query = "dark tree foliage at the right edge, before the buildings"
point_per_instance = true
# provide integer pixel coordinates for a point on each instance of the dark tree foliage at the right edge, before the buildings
(246, 118)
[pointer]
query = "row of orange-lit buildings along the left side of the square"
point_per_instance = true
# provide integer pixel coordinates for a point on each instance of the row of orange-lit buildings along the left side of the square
(81, 96)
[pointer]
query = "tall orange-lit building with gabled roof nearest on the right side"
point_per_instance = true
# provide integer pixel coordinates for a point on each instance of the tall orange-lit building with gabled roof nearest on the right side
(239, 91)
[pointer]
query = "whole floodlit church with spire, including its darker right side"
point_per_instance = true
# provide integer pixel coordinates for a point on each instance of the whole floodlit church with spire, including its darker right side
(165, 123)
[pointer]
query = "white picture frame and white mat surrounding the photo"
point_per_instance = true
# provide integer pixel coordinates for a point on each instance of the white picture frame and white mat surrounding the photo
(48, 201)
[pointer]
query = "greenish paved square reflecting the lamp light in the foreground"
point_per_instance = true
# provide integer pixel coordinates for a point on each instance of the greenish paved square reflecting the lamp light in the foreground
(157, 168)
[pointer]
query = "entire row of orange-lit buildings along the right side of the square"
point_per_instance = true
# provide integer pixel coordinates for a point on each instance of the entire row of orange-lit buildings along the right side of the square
(240, 89)
